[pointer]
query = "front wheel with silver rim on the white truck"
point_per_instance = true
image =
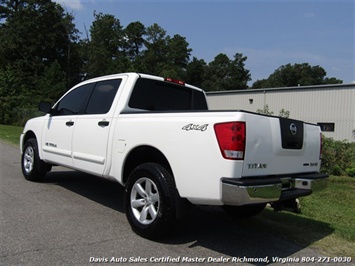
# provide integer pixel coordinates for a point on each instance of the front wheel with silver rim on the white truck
(33, 168)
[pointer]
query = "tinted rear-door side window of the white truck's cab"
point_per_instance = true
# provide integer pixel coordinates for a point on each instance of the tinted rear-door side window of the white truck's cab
(102, 96)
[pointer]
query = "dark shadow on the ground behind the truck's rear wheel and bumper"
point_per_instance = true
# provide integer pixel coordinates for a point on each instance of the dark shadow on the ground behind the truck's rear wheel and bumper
(255, 237)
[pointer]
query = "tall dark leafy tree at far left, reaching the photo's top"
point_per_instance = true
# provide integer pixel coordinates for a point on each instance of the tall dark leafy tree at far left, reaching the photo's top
(35, 35)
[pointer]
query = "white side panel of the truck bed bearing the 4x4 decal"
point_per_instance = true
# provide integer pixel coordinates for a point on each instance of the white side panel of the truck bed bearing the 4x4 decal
(189, 160)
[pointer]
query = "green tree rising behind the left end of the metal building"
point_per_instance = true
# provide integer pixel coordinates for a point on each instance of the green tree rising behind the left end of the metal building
(225, 74)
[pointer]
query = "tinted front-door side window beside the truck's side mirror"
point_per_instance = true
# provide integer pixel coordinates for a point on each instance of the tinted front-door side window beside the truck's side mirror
(73, 102)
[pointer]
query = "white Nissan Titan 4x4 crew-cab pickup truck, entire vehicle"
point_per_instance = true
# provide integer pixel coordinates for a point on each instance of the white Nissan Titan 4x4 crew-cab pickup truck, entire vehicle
(156, 137)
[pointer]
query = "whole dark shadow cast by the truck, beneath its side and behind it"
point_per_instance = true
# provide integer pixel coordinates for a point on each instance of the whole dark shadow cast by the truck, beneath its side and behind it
(210, 227)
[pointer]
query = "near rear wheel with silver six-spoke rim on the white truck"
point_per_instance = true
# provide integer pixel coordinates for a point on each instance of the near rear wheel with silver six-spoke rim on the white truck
(150, 195)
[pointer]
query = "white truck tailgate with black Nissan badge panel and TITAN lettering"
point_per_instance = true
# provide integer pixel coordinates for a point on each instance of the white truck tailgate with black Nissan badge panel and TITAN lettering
(277, 145)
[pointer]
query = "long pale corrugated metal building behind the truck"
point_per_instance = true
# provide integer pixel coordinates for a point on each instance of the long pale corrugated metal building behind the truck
(330, 106)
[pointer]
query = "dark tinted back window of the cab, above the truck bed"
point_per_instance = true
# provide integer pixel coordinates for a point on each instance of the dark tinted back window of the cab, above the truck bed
(153, 95)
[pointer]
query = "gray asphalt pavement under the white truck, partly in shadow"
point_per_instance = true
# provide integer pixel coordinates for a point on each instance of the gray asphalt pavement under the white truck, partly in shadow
(76, 219)
